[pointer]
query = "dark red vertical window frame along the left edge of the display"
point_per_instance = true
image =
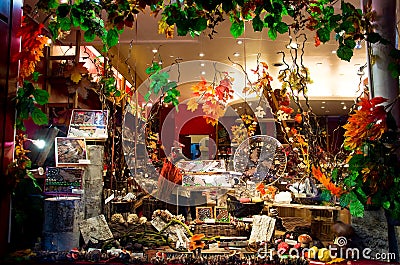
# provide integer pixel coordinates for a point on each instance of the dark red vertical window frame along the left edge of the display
(10, 20)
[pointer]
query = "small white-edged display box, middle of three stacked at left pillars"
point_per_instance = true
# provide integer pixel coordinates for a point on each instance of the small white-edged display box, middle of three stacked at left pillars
(70, 152)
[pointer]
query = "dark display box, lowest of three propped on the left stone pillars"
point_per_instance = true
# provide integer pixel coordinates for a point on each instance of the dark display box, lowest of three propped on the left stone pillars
(62, 181)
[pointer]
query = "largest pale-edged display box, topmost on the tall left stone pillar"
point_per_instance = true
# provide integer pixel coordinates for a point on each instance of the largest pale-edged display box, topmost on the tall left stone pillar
(89, 124)
